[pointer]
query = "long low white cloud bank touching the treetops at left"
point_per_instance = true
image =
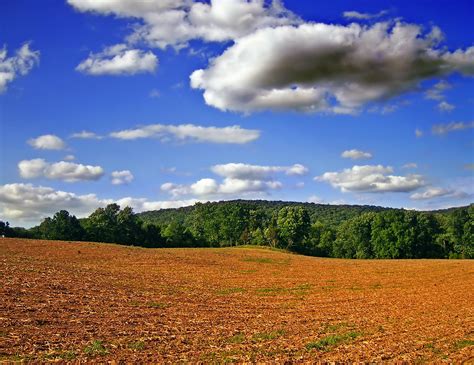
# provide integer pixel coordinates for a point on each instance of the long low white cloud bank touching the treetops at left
(26, 204)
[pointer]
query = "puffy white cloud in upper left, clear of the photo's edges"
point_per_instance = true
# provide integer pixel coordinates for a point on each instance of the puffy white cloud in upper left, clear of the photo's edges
(119, 60)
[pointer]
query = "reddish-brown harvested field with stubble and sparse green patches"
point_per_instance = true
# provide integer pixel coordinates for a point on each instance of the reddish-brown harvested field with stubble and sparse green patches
(99, 302)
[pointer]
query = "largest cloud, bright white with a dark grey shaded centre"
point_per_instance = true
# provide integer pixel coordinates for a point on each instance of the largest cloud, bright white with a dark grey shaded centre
(318, 67)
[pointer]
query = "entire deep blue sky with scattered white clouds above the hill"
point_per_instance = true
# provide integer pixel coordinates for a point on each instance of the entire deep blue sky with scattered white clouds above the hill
(164, 103)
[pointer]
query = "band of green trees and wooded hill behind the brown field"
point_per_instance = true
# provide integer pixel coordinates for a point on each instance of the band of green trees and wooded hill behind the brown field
(312, 229)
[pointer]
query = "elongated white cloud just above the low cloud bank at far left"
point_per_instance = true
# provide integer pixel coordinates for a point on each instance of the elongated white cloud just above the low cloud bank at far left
(66, 171)
